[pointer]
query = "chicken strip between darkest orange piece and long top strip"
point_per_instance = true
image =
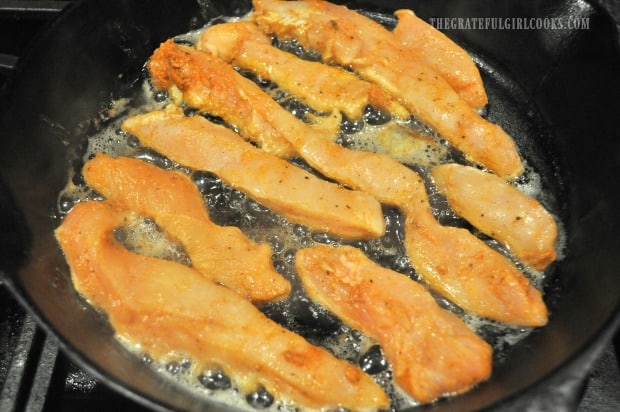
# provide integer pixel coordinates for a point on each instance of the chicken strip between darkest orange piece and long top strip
(323, 88)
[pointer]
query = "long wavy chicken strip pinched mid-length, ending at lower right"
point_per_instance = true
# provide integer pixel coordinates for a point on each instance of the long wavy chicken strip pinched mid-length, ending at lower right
(453, 261)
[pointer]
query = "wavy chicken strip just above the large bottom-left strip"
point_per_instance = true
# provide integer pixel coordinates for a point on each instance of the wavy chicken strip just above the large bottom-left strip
(223, 254)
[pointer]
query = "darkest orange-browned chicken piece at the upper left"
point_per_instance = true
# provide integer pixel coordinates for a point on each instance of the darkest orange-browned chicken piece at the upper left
(199, 75)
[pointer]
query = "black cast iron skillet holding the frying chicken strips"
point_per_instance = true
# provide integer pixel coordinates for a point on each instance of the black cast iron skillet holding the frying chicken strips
(554, 91)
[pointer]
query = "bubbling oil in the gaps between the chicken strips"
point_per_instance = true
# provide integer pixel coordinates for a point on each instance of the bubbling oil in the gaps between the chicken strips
(410, 142)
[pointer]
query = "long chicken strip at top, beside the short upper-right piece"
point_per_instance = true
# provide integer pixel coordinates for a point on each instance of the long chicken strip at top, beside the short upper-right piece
(347, 38)
